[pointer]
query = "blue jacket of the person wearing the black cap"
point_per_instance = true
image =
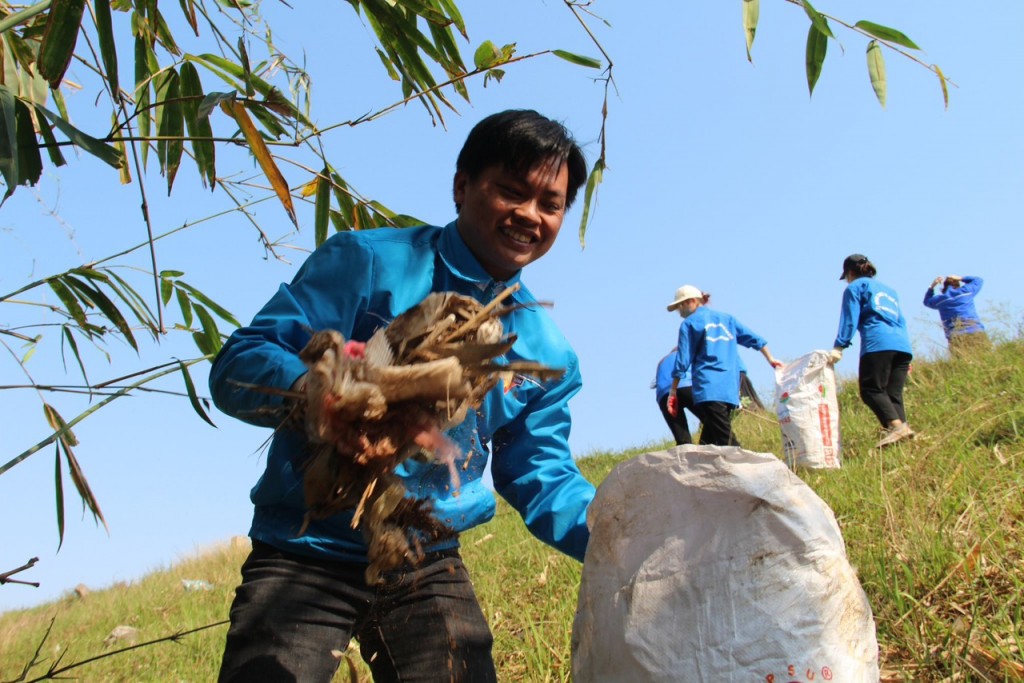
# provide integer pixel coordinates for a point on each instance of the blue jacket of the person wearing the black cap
(873, 310)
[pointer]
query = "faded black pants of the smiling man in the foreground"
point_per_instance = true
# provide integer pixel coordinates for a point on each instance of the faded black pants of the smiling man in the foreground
(421, 624)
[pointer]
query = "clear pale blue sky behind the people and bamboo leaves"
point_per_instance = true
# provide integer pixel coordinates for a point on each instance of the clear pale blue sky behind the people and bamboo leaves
(721, 174)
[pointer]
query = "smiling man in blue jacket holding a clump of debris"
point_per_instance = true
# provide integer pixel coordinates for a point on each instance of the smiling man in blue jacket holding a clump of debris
(305, 593)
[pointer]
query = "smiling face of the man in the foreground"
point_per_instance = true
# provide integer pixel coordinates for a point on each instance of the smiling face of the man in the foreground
(508, 220)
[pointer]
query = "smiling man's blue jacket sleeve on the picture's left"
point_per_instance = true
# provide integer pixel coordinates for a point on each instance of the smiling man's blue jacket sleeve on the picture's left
(327, 292)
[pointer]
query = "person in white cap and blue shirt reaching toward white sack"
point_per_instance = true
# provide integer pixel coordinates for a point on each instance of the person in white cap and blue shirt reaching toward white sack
(709, 351)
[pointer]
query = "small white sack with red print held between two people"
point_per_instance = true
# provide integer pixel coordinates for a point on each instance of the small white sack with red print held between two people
(808, 412)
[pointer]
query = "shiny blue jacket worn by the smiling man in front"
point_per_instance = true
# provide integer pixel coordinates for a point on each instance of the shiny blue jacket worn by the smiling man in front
(356, 283)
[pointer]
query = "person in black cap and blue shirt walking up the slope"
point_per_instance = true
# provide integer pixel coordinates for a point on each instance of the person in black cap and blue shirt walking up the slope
(873, 310)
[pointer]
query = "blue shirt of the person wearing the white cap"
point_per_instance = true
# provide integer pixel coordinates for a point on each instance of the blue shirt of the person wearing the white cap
(709, 350)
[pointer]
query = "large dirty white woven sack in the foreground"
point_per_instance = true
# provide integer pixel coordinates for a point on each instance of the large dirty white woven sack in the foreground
(715, 565)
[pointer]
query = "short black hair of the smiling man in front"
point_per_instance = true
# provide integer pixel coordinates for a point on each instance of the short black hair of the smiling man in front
(520, 141)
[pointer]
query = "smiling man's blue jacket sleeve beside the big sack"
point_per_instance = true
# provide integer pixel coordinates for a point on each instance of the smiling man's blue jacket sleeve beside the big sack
(534, 471)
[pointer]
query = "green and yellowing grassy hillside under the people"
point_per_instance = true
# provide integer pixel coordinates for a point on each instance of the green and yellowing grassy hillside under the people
(935, 529)
